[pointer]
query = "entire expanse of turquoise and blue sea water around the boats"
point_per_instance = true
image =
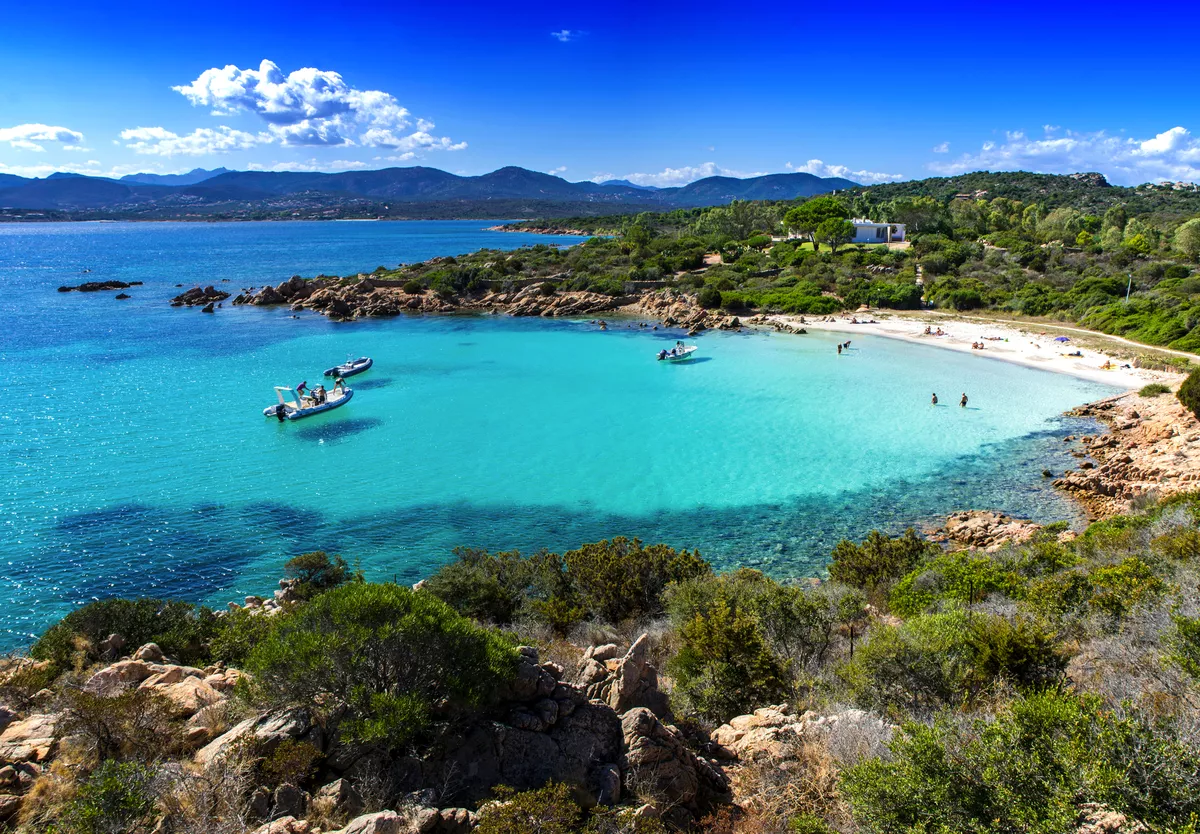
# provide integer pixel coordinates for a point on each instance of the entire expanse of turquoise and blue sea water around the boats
(139, 460)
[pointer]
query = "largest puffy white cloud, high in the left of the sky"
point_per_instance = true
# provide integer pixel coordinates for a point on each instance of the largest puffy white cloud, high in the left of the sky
(314, 109)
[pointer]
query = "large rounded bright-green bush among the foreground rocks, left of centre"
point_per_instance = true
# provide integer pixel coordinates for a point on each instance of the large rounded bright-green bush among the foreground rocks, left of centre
(392, 655)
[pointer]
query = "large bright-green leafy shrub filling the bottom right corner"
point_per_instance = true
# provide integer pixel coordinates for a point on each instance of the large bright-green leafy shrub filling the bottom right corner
(1029, 770)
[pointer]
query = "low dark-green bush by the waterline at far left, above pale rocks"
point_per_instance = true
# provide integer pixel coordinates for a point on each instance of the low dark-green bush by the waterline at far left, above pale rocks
(181, 629)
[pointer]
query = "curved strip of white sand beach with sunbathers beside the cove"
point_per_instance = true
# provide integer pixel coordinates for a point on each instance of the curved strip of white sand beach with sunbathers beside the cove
(1033, 347)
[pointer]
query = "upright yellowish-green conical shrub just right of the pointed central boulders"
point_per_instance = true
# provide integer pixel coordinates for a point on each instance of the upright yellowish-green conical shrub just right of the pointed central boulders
(724, 668)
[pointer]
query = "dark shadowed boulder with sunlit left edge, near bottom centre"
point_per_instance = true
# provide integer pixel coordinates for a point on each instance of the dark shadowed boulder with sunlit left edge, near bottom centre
(659, 760)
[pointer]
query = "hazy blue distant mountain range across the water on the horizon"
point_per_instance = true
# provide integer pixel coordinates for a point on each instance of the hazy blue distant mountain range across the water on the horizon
(392, 193)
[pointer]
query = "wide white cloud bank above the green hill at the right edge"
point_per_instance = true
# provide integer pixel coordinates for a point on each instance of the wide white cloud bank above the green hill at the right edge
(1171, 155)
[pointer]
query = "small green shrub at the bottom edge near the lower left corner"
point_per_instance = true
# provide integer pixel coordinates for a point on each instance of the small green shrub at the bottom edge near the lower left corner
(118, 799)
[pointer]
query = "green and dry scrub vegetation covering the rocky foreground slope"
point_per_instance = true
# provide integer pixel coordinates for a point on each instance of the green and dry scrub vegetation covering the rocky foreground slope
(1024, 688)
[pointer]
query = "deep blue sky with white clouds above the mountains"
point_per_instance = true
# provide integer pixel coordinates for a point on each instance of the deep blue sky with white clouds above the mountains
(659, 93)
